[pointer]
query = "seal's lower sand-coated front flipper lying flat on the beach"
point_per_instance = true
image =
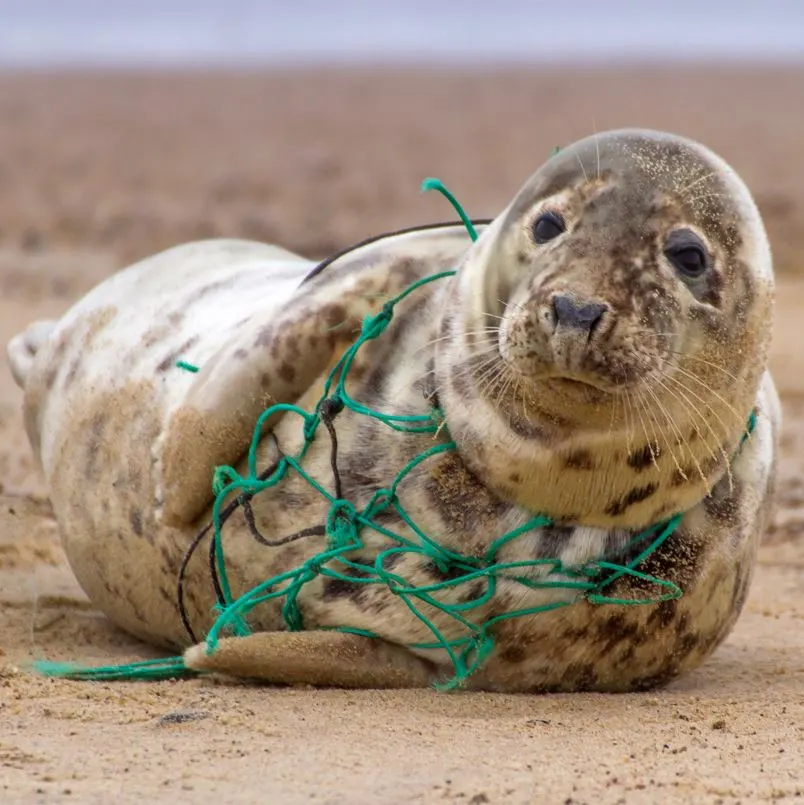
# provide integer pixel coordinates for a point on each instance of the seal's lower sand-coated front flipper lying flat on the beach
(324, 659)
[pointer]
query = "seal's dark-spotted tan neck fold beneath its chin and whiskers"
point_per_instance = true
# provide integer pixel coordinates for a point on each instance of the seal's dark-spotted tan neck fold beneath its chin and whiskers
(608, 477)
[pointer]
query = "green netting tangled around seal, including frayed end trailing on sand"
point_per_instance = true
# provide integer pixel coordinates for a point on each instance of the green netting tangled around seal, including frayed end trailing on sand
(345, 523)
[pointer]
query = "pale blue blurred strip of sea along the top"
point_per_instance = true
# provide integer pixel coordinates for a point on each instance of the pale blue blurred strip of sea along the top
(158, 33)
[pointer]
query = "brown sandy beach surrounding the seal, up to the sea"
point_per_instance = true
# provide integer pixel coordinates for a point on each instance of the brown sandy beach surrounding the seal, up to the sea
(731, 731)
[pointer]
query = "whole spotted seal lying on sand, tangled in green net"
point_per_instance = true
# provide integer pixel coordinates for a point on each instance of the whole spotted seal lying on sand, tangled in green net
(596, 358)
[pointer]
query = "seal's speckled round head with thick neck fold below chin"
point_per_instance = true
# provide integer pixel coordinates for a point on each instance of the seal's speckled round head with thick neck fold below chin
(606, 335)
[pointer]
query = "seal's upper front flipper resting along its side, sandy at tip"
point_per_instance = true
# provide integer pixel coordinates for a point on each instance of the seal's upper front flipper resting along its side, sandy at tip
(278, 356)
